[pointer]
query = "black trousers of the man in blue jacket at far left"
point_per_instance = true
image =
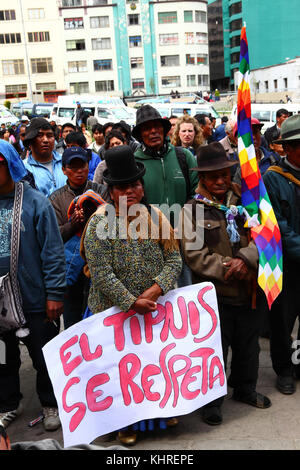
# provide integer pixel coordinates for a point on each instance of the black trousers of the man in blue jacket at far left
(41, 331)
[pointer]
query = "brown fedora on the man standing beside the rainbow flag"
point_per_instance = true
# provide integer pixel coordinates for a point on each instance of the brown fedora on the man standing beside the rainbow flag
(212, 157)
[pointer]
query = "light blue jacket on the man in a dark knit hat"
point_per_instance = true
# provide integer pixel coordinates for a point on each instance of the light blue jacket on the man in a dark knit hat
(45, 181)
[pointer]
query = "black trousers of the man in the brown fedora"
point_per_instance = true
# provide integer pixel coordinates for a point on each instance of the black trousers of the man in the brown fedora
(240, 332)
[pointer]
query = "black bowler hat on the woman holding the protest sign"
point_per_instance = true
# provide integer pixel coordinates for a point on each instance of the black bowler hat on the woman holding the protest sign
(121, 166)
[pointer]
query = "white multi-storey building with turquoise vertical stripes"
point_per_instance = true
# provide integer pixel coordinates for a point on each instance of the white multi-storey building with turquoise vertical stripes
(135, 47)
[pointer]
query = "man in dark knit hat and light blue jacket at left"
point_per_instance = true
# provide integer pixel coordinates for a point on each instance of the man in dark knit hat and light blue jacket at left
(43, 161)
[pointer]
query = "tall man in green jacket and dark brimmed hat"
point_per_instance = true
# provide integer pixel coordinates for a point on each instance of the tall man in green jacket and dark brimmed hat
(167, 179)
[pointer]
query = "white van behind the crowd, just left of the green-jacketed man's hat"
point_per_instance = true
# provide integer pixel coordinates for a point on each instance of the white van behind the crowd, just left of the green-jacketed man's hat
(105, 109)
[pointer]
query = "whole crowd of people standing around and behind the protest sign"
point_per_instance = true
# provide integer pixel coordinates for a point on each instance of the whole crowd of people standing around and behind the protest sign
(71, 173)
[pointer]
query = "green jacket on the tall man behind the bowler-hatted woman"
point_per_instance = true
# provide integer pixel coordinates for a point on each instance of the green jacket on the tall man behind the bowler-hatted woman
(164, 180)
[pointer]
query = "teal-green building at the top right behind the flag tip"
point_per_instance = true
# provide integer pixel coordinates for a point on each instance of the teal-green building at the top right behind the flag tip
(273, 33)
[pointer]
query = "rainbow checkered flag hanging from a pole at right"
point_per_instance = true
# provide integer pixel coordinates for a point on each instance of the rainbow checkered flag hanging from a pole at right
(260, 215)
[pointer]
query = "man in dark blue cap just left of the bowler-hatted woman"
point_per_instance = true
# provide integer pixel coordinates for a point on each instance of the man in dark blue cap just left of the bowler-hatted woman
(75, 165)
